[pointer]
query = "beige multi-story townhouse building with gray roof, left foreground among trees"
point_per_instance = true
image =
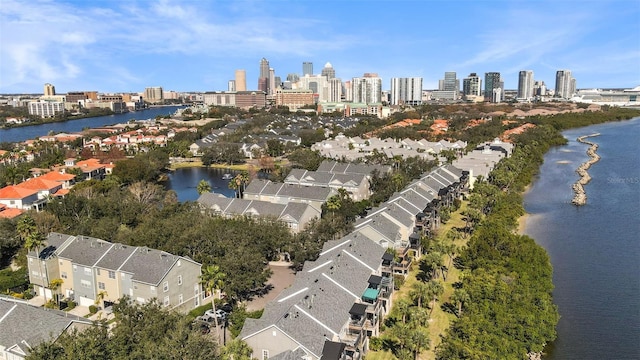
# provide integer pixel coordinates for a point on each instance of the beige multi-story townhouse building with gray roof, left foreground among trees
(95, 271)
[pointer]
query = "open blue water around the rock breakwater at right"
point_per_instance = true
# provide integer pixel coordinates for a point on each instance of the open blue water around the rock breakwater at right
(594, 249)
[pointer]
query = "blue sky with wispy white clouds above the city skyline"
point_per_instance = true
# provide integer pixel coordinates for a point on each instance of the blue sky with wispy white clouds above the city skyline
(193, 45)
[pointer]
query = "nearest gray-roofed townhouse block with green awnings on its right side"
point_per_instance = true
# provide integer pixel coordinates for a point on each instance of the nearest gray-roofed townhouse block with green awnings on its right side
(334, 306)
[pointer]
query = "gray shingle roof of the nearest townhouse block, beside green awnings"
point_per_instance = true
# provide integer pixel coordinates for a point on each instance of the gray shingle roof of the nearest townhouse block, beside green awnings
(317, 305)
